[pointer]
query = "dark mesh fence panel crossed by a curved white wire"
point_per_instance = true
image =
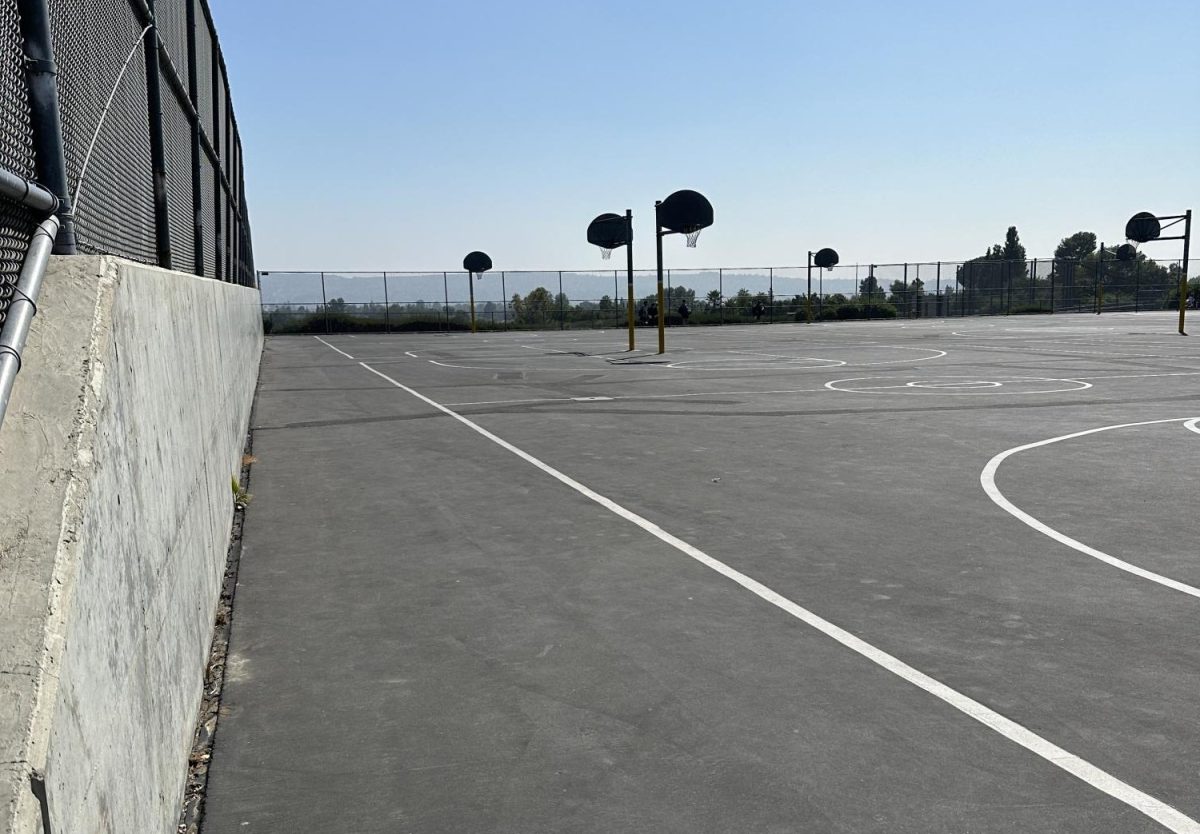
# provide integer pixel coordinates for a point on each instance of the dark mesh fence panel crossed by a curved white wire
(116, 212)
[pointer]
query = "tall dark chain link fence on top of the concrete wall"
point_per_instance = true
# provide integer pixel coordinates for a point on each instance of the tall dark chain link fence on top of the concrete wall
(159, 175)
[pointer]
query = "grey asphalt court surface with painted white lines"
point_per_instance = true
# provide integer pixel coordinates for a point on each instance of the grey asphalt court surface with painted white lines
(892, 577)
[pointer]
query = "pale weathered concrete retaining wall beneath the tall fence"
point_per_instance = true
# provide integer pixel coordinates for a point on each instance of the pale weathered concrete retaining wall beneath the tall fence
(116, 461)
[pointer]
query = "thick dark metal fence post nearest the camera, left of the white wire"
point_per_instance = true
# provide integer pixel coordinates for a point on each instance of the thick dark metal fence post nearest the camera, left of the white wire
(45, 117)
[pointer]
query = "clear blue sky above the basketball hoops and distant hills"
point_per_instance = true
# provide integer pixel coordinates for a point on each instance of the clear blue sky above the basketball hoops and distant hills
(385, 135)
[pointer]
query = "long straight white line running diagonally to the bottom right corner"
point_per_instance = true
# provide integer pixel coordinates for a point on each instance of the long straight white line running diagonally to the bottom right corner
(1101, 781)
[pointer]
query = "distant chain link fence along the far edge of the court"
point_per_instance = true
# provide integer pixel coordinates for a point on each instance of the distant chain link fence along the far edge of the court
(346, 302)
